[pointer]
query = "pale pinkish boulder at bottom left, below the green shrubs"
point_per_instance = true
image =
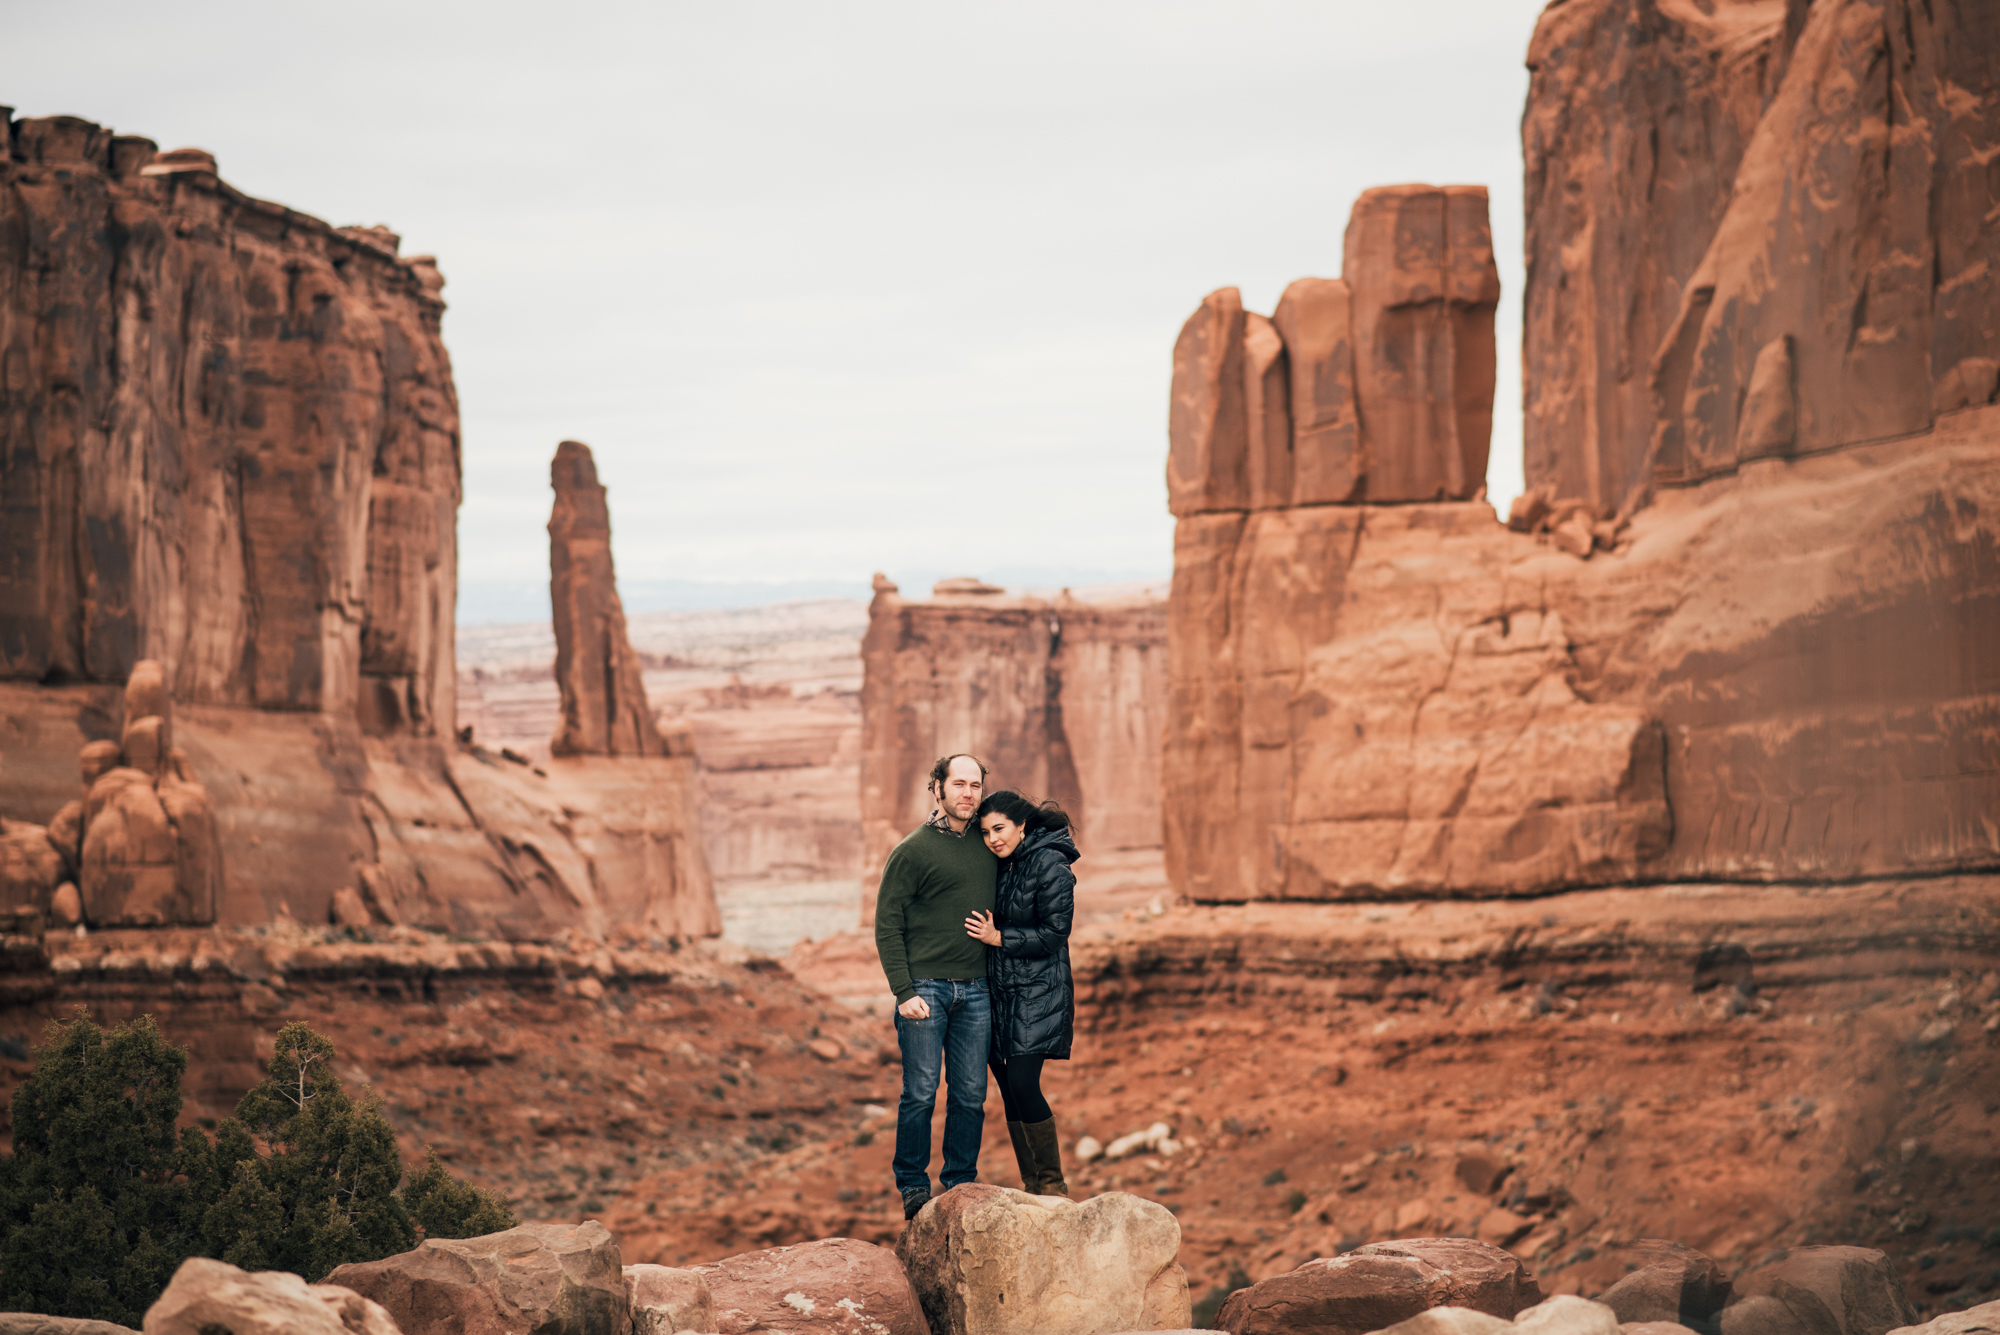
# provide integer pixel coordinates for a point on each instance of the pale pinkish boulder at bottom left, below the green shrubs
(213, 1298)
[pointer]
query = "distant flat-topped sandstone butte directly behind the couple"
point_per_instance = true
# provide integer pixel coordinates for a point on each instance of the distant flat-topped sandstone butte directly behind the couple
(1063, 698)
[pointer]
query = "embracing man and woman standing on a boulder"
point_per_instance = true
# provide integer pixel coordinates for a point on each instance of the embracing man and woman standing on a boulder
(973, 926)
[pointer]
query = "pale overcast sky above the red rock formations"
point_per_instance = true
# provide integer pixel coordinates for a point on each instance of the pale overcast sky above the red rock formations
(829, 289)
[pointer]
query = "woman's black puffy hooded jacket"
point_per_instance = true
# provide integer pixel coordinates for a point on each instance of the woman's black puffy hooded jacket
(1029, 972)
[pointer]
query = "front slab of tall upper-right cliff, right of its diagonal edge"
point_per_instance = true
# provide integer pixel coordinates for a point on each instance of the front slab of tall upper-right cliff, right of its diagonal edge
(1853, 287)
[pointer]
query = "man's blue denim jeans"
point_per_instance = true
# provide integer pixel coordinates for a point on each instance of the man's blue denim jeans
(953, 1042)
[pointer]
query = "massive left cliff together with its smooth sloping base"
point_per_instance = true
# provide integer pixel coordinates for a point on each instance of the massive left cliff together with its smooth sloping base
(229, 443)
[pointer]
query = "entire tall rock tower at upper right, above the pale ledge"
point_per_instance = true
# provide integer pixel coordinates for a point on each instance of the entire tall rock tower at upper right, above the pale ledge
(1755, 229)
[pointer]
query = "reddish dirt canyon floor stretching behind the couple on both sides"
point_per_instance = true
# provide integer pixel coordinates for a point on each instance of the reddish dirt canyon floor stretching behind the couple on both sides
(1735, 1068)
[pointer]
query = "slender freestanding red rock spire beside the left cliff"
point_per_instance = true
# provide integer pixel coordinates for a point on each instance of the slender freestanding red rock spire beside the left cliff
(603, 698)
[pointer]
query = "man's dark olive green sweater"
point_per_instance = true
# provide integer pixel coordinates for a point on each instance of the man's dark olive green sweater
(931, 886)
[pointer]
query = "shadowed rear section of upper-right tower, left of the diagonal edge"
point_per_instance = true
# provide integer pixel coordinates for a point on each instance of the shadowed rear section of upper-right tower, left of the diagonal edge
(1639, 115)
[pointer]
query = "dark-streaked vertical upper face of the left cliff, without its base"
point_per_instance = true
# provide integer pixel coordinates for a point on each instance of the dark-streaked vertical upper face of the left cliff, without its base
(231, 441)
